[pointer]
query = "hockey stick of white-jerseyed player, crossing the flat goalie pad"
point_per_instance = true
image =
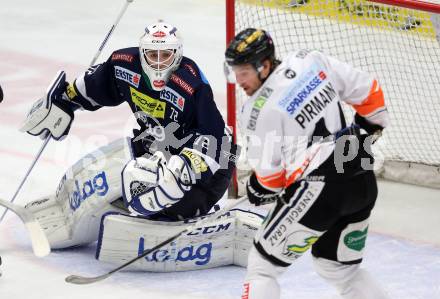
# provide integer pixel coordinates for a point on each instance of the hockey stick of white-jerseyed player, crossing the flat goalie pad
(76, 279)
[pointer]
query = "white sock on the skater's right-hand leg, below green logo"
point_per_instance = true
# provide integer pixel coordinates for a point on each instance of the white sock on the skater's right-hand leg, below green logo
(350, 281)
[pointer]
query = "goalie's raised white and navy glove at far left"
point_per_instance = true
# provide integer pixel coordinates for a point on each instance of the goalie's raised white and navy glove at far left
(52, 114)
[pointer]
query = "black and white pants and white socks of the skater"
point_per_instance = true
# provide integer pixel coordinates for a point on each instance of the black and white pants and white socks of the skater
(331, 218)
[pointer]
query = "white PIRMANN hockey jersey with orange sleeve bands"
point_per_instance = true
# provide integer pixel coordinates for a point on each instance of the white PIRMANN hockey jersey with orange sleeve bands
(299, 100)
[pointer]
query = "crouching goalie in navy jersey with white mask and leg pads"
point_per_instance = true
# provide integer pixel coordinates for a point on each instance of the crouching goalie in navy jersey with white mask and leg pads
(137, 191)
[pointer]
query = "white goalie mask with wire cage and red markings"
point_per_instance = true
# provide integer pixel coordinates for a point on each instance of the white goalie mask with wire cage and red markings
(160, 52)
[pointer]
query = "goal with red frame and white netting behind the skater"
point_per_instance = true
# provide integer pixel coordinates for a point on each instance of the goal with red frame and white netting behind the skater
(397, 41)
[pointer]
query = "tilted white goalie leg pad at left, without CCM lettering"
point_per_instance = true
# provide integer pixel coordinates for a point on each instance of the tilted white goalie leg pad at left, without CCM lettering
(72, 215)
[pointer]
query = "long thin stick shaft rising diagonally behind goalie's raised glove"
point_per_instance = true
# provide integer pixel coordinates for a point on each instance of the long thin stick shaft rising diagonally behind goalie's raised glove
(46, 141)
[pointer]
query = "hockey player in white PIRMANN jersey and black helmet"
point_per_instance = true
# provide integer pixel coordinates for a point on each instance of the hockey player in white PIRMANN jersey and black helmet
(323, 190)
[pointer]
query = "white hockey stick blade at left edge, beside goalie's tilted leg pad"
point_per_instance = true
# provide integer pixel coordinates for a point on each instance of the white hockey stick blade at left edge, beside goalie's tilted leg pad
(40, 244)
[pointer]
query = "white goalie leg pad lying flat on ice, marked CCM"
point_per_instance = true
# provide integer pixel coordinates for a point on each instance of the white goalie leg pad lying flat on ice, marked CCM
(224, 241)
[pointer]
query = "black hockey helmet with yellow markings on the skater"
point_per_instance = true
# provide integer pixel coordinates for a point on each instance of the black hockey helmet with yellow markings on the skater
(250, 46)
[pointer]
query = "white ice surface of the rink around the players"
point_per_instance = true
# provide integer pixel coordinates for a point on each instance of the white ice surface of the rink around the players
(39, 37)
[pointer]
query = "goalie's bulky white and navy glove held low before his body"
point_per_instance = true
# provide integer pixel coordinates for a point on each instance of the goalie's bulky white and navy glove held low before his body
(151, 185)
